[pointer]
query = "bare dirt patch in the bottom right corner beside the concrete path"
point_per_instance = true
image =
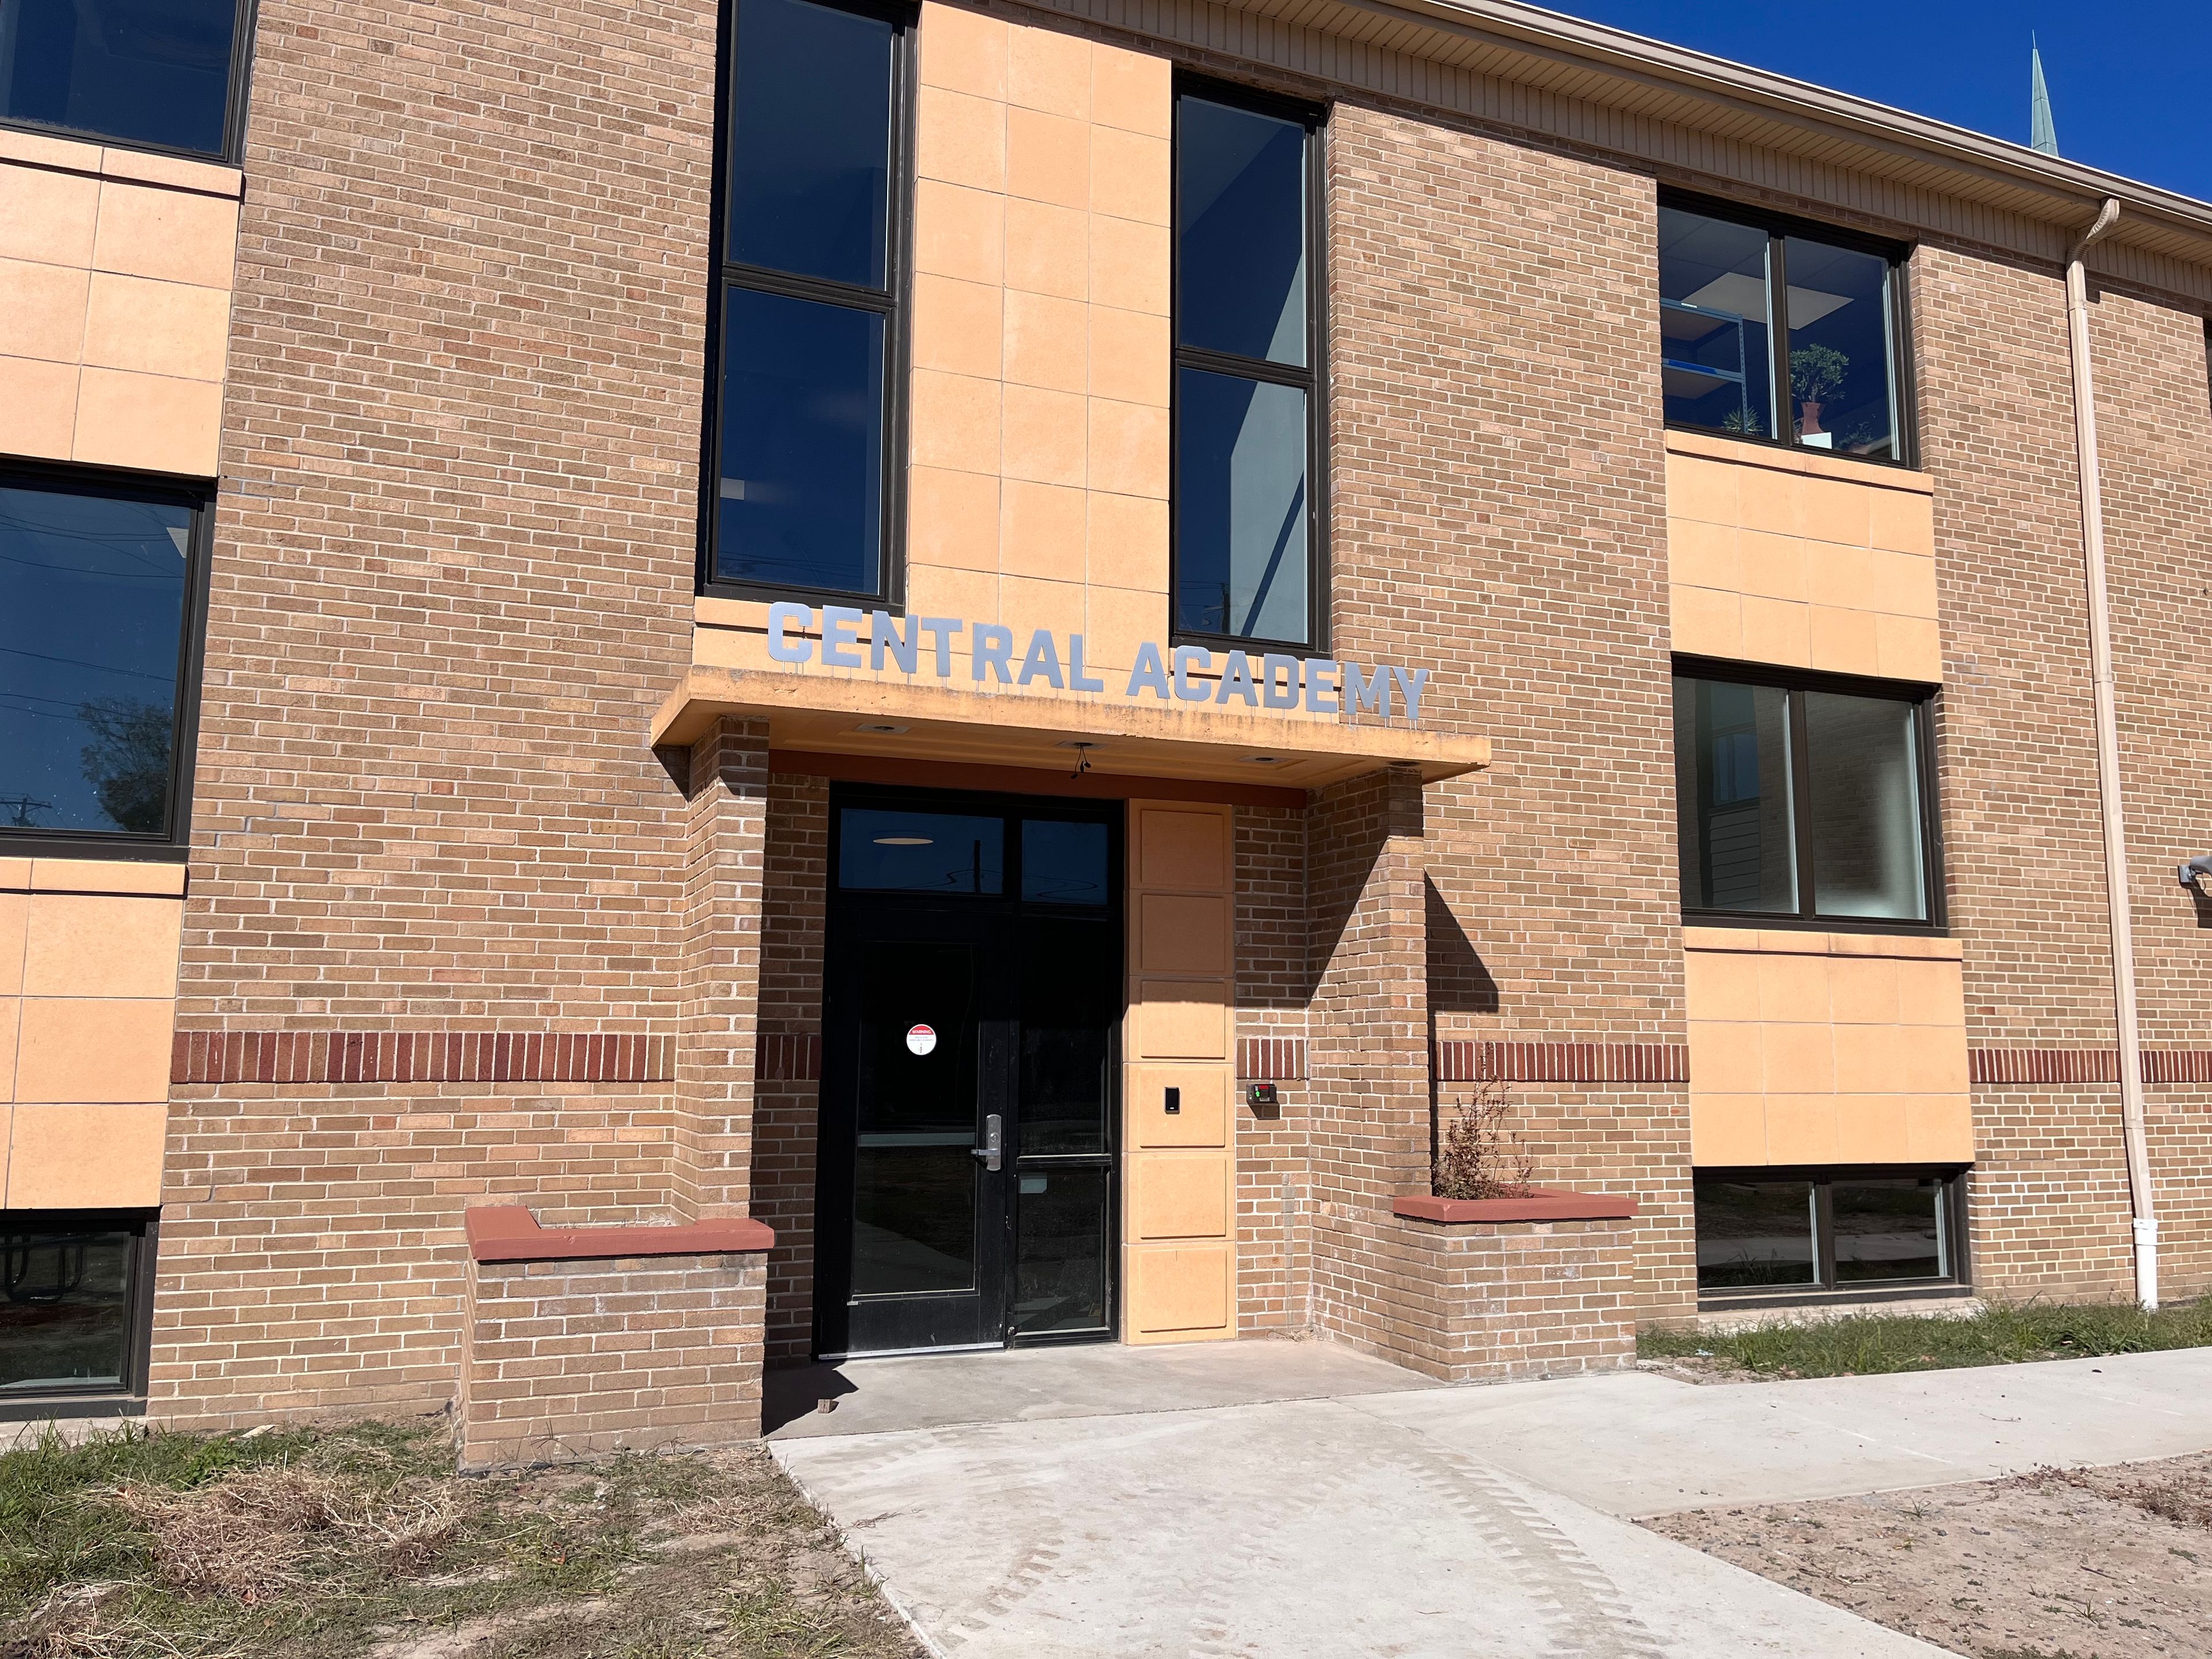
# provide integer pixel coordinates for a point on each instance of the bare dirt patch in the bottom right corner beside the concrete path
(2056, 1565)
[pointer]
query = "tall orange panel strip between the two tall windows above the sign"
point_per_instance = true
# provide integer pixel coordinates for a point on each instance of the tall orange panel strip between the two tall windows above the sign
(1041, 333)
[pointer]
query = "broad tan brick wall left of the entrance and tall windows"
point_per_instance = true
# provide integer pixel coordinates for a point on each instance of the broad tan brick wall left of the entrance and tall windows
(452, 578)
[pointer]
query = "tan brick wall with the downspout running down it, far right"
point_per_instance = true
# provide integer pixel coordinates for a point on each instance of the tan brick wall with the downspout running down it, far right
(2023, 848)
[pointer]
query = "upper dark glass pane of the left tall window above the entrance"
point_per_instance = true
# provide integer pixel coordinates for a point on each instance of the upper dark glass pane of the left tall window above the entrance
(811, 140)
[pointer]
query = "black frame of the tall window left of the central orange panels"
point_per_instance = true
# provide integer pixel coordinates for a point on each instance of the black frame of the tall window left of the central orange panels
(895, 304)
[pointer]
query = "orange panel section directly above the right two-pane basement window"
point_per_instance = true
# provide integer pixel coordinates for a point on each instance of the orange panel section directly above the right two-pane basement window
(1826, 1050)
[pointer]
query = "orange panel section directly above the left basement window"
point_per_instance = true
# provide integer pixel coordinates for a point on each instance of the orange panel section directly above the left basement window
(87, 1021)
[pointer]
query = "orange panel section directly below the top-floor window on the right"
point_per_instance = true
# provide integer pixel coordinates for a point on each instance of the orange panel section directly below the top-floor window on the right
(1802, 561)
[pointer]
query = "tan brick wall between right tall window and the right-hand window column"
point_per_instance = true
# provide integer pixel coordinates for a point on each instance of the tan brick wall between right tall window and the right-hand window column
(1501, 512)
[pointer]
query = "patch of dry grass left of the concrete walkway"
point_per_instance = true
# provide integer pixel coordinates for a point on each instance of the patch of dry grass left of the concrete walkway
(364, 1543)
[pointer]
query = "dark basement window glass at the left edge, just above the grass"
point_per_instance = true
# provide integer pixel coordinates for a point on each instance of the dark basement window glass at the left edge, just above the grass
(65, 1315)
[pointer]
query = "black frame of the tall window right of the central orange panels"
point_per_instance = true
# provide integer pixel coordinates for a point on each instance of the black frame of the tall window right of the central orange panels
(1313, 377)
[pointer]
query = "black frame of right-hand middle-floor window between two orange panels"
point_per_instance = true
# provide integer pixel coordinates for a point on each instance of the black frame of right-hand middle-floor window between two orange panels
(1806, 680)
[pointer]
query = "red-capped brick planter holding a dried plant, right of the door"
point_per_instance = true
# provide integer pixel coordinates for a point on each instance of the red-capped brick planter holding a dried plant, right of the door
(1516, 1288)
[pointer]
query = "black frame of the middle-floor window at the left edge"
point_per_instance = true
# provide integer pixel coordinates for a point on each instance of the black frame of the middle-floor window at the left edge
(176, 839)
